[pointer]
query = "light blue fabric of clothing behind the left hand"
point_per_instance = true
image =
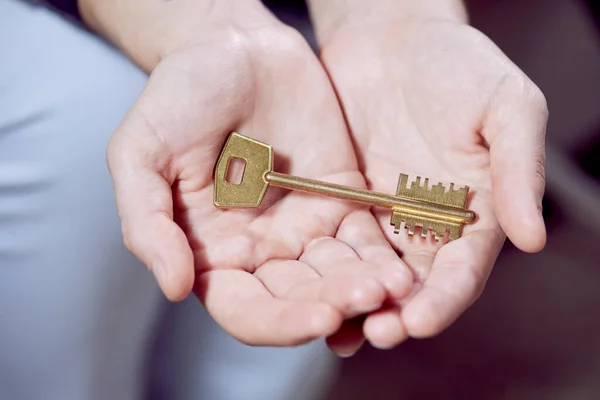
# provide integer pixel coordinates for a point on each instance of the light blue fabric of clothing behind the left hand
(80, 317)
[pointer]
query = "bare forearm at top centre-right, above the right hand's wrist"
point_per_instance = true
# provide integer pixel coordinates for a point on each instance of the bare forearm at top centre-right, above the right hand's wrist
(327, 15)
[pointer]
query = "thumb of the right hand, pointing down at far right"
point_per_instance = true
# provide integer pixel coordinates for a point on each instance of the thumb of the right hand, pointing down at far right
(515, 129)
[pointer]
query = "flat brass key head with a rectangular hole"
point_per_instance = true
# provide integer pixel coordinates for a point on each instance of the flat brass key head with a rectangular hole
(258, 159)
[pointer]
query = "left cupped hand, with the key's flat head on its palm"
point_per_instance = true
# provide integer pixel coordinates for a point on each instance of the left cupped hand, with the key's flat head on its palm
(292, 270)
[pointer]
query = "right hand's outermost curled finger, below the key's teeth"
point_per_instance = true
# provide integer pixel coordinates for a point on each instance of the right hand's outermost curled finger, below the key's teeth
(458, 276)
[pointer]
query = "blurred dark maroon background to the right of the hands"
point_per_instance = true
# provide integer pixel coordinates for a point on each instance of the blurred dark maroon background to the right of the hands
(535, 332)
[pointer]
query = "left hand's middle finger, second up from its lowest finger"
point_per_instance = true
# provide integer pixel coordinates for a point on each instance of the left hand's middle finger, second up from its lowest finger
(294, 280)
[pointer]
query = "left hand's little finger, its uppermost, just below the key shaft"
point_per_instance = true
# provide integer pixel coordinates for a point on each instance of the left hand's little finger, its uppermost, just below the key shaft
(362, 233)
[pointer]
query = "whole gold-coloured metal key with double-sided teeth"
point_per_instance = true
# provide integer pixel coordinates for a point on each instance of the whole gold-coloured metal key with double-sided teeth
(432, 209)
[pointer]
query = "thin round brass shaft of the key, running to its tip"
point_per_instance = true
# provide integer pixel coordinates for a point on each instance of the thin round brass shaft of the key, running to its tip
(418, 208)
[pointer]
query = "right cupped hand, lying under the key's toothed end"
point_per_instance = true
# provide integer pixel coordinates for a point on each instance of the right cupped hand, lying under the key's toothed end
(436, 98)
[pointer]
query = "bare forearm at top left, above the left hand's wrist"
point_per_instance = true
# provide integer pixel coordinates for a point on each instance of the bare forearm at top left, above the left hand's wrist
(147, 31)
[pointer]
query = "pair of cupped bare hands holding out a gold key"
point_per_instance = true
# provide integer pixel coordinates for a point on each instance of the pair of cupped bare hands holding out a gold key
(418, 95)
